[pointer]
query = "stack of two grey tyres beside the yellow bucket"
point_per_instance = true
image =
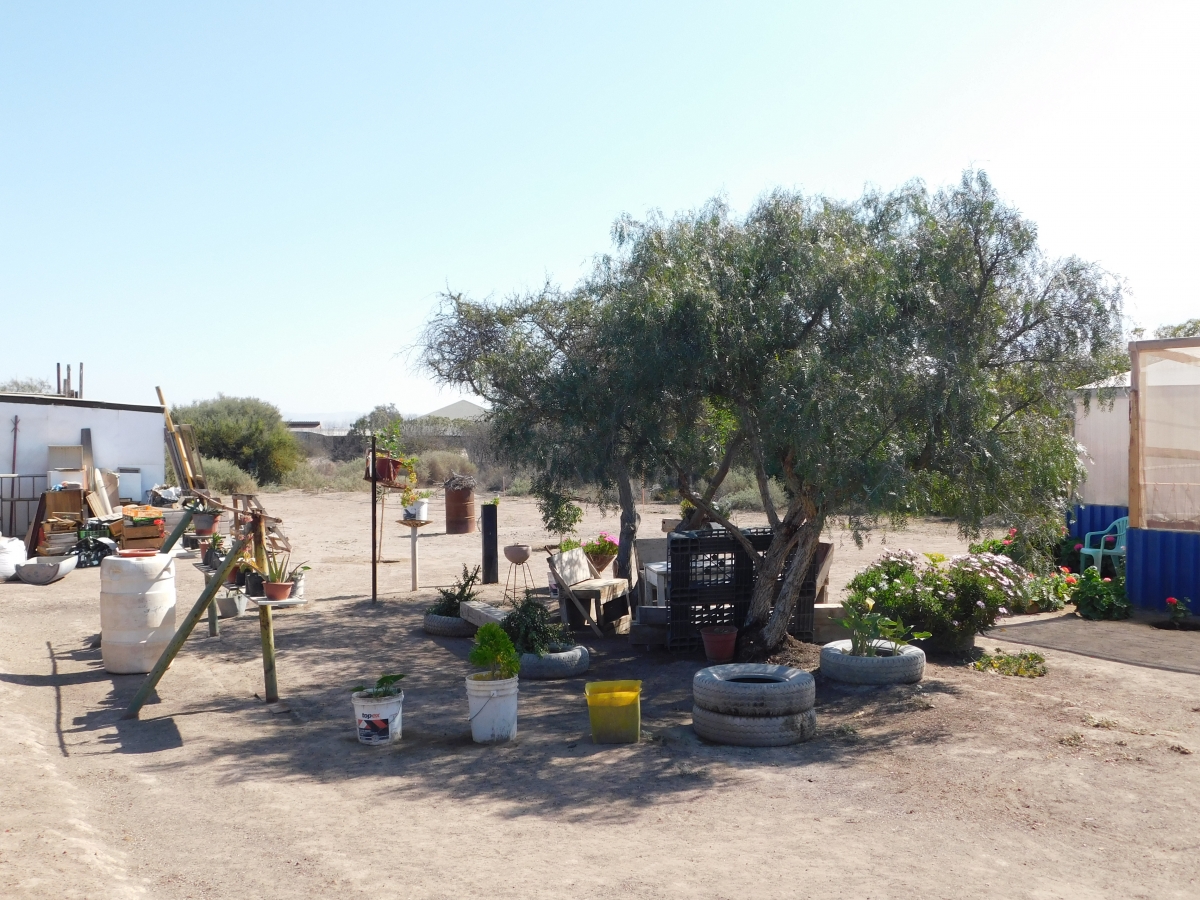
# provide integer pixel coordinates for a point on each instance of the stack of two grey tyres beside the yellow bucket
(754, 705)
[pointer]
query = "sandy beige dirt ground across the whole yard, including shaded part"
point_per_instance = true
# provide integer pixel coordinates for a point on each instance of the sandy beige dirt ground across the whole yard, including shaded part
(1076, 785)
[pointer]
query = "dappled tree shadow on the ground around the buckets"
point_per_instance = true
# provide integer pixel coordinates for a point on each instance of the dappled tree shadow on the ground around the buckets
(551, 769)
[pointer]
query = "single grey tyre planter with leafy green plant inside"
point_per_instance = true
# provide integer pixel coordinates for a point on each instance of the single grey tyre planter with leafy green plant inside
(878, 651)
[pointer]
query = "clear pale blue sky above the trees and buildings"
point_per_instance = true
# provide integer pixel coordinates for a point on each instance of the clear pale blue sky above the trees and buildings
(267, 199)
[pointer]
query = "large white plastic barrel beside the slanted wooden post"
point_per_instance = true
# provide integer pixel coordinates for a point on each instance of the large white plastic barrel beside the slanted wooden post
(137, 611)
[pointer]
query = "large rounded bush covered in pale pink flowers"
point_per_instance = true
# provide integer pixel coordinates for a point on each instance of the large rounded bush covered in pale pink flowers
(951, 602)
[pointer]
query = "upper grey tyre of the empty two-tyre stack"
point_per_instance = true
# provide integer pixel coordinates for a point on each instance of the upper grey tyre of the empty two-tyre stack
(746, 689)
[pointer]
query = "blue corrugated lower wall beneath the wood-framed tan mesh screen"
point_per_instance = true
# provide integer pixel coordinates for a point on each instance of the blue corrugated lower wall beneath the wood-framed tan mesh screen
(1162, 565)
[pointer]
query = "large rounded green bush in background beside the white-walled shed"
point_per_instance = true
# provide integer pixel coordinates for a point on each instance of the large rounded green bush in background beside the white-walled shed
(244, 431)
